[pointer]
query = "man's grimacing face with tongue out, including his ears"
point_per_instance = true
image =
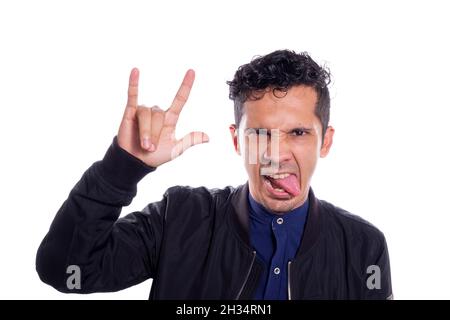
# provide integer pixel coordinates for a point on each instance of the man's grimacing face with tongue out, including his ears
(280, 164)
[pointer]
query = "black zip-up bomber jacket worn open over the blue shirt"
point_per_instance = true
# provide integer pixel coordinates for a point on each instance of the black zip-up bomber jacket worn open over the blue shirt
(194, 243)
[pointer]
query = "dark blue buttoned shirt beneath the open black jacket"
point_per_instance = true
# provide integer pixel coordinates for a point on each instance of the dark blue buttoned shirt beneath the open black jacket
(276, 239)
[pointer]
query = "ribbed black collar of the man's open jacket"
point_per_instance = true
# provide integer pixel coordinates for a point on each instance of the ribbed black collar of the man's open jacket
(240, 218)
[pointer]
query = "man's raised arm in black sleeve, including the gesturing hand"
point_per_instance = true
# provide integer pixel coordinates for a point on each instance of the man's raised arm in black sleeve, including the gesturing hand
(88, 249)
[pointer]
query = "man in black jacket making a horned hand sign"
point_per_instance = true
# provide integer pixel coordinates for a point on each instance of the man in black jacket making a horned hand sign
(270, 238)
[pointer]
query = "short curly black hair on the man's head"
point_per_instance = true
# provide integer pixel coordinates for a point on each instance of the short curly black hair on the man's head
(279, 71)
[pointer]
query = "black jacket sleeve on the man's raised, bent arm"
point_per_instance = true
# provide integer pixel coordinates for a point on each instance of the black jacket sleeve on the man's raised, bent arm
(88, 249)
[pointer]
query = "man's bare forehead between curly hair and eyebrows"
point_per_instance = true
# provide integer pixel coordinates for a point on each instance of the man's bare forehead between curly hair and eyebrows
(296, 107)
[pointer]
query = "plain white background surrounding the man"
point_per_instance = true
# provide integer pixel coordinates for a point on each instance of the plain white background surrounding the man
(64, 68)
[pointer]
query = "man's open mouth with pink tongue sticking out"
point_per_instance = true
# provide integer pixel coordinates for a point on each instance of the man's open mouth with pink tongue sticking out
(283, 185)
